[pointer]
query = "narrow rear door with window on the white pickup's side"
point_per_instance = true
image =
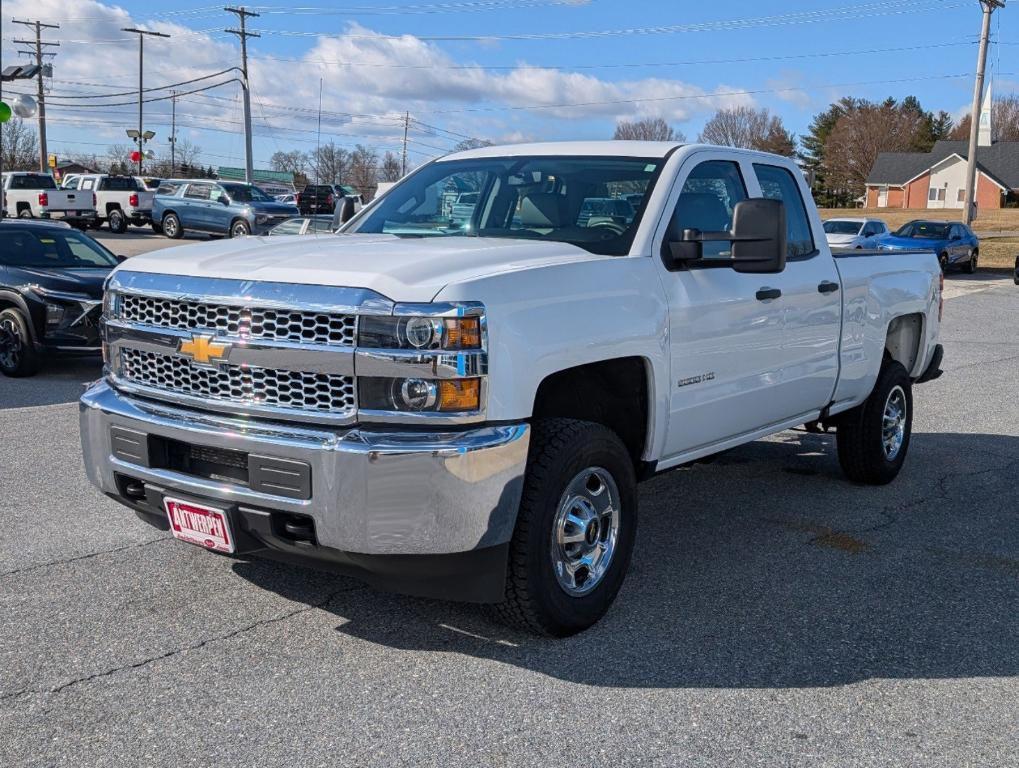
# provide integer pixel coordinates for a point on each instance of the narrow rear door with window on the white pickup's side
(812, 299)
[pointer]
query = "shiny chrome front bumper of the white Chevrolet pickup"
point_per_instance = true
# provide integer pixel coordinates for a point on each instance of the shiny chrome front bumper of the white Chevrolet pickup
(373, 491)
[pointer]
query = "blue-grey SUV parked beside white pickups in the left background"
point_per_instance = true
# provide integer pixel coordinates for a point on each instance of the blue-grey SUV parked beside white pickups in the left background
(217, 208)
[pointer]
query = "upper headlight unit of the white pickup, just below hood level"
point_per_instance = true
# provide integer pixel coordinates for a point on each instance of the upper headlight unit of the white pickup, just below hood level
(420, 334)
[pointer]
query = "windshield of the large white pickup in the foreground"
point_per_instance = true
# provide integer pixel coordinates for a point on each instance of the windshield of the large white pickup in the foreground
(575, 200)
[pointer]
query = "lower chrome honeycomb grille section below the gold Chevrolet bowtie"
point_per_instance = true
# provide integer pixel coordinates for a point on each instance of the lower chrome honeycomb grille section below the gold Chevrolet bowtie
(247, 387)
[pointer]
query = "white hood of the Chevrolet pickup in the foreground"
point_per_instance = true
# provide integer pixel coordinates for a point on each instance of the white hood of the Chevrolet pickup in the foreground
(402, 269)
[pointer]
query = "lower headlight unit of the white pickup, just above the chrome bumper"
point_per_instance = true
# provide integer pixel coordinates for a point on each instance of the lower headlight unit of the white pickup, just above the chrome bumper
(420, 396)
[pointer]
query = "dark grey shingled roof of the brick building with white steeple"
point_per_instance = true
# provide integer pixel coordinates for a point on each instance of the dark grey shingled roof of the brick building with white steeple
(1000, 161)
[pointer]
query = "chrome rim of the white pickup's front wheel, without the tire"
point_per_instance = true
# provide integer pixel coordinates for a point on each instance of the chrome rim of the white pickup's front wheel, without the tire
(585, 531)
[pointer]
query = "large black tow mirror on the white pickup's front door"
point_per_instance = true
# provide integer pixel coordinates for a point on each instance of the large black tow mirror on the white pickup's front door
(759, 239)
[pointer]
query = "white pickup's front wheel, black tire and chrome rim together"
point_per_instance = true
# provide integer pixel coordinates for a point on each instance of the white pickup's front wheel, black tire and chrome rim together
(575, 530)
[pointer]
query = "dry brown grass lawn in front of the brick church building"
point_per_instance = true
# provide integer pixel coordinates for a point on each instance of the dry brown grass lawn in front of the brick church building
(996, 252)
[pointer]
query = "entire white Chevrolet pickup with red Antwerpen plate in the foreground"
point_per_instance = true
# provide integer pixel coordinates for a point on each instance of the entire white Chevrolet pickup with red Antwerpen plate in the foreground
(463, 407)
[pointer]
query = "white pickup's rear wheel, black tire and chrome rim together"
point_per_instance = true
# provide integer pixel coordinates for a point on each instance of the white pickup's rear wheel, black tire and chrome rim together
(874, 438)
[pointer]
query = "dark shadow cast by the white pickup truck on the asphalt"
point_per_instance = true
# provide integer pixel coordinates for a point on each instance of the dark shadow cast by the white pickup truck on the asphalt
(768, 570)
